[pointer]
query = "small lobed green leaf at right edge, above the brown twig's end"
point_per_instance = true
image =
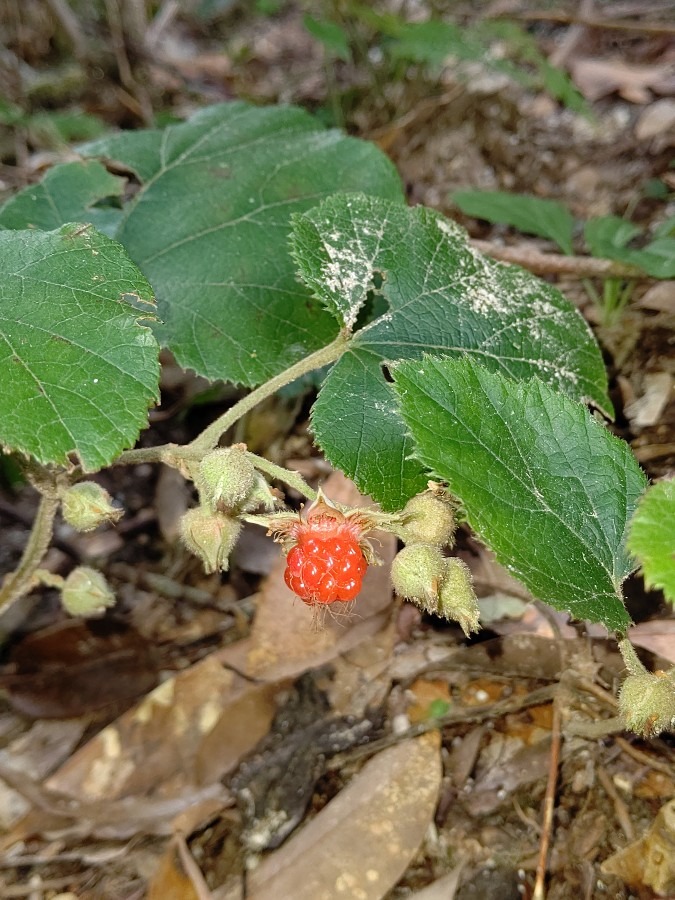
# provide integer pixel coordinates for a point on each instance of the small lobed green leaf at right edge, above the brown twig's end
(609, 236)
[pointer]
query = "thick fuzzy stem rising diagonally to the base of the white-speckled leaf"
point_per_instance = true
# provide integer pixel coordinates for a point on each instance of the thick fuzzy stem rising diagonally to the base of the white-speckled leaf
(173, 454)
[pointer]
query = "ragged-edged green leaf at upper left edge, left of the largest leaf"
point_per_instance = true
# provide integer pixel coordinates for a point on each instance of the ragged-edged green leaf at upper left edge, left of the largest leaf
(67, 193)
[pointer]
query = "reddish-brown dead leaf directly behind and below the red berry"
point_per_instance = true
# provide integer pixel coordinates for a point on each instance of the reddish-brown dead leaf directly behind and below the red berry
(286, 639)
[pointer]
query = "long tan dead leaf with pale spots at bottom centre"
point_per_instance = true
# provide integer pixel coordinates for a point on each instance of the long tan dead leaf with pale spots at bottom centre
(361, 843)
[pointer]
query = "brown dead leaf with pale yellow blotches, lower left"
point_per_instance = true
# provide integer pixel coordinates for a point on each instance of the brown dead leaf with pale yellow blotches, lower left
(191, 730)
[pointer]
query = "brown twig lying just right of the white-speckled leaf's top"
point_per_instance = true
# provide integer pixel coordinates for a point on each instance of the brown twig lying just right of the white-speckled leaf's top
(557, 264)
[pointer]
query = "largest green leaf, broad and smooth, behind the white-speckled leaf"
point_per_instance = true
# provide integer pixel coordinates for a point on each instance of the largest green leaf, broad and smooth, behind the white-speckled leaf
(209, 228)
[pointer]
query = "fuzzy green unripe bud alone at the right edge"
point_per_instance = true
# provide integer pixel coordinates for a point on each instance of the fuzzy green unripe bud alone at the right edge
(647, 702)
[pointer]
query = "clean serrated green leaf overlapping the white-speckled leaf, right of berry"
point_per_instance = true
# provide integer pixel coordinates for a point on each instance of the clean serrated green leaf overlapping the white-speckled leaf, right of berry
(544, 484)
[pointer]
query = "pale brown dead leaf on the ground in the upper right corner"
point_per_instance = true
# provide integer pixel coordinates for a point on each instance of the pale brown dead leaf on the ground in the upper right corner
(598, 78)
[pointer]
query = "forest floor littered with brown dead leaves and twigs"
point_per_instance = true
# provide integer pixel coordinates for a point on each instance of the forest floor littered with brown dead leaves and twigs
(381, 756)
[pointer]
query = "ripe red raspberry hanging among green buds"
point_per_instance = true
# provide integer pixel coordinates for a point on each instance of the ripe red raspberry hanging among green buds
(327, 562)
